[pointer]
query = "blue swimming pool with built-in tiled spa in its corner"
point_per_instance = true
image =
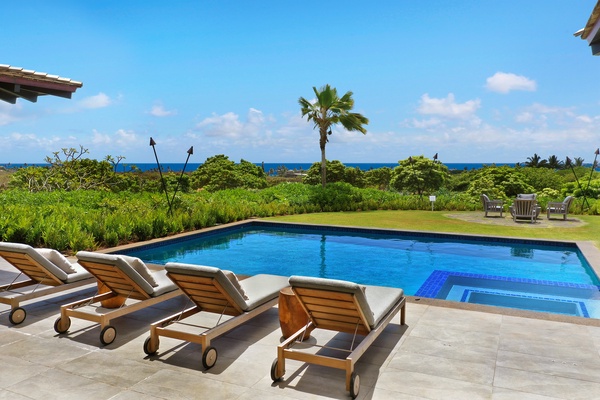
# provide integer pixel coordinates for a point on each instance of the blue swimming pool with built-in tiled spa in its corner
(528, 274)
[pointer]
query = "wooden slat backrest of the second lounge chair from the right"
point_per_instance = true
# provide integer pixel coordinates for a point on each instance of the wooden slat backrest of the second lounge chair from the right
(206, 293)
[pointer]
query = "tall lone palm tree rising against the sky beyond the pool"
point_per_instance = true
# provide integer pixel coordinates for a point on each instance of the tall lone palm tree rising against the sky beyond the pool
(329, 109)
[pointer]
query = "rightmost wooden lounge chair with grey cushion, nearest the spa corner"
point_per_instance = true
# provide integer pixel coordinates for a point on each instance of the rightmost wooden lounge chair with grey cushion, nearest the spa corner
(340, 306)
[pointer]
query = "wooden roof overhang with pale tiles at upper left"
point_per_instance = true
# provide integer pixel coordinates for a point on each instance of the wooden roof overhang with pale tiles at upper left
(17, 83)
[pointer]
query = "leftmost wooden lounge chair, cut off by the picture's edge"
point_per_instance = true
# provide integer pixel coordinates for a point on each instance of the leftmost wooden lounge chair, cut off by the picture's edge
(48, 271)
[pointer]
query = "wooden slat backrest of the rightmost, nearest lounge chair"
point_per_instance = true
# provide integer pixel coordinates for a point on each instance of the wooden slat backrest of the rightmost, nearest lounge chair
(336, 311)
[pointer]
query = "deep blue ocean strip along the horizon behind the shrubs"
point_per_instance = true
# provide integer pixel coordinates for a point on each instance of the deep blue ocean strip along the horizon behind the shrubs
(271, 168)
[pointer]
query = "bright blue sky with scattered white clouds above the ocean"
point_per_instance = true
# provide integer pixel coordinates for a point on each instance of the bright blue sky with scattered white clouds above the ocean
(474, 81)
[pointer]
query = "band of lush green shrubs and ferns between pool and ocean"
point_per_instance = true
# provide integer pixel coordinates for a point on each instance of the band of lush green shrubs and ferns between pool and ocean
(76, 203)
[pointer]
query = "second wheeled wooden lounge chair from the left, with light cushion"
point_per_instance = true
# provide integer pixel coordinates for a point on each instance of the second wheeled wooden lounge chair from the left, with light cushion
(123, 276)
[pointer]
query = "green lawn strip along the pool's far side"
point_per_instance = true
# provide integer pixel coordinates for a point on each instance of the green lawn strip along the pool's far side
(439, 221)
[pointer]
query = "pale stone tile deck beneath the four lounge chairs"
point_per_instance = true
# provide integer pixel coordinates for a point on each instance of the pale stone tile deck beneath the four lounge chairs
(443, 352)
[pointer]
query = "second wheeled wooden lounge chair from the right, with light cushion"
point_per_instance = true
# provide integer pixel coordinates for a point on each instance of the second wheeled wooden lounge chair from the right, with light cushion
(214, 291)
